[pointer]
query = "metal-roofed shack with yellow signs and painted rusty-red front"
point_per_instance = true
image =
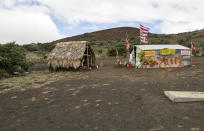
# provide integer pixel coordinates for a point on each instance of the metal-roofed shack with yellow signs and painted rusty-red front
(160, 56)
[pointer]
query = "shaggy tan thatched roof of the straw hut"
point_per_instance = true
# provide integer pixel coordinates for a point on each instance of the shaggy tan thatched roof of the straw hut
(67, 54)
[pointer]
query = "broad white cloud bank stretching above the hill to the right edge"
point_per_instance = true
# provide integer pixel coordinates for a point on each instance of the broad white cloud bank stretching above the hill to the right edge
(170, 12)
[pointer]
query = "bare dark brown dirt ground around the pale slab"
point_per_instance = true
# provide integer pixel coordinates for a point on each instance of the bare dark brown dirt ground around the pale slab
(106, 99)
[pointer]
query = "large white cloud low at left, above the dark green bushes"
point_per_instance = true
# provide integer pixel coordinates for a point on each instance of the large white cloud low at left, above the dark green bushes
(26, 24)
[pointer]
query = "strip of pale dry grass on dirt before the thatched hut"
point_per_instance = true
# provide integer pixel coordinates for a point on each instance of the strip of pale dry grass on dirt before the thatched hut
(36, 80)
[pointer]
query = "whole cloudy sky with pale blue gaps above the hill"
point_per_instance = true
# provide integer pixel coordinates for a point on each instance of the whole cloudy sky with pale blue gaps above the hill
(32, 21)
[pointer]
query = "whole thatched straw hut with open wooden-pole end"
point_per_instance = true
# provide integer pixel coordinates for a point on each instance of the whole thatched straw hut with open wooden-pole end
(71, 55)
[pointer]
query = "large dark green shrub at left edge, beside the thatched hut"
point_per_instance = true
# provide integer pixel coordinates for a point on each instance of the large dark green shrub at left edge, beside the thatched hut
(12, 58)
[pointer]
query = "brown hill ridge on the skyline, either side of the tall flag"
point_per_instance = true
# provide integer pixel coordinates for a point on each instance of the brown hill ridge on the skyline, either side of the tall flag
(120, 34)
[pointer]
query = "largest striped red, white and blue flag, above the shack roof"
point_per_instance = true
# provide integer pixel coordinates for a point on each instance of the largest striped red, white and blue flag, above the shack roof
(143, 34)
